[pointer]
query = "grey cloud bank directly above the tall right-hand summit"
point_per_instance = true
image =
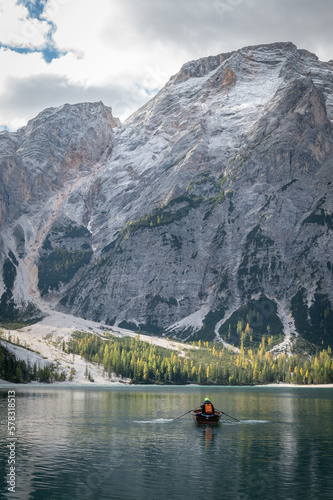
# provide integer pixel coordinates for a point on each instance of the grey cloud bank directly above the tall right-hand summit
(199, 28)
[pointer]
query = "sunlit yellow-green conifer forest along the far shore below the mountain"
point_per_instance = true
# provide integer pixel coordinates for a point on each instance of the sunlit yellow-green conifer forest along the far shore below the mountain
(205, 363)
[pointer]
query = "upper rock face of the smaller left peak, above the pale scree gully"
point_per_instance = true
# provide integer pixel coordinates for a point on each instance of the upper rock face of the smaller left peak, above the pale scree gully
(57, 146)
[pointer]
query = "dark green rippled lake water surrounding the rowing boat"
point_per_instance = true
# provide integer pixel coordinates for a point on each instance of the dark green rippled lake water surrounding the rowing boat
(120, 443)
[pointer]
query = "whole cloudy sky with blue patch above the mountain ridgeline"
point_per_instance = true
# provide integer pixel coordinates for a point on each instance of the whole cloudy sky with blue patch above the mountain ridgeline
(122, 52)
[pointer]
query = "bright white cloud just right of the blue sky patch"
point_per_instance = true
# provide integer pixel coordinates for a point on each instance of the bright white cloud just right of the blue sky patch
(108, 46)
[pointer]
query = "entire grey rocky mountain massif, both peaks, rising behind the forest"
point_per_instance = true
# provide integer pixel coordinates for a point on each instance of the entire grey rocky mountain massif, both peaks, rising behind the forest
(208, 213)
